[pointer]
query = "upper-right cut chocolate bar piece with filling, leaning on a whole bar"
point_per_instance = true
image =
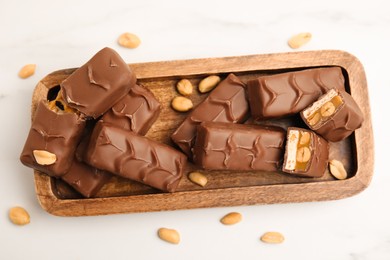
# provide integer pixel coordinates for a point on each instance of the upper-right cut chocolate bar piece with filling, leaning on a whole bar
(334, 115)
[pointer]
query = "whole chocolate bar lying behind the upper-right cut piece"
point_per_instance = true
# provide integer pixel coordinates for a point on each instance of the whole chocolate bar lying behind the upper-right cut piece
(289, 93)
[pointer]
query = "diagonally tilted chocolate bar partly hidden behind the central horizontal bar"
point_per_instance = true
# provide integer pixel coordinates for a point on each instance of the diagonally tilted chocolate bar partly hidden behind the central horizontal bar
(226, 103)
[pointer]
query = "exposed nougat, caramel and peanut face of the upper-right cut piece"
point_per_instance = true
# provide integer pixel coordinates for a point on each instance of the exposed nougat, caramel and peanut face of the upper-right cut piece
(321, 110)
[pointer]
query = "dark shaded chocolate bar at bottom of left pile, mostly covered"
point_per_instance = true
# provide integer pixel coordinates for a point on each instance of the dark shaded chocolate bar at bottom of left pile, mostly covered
(85, 179)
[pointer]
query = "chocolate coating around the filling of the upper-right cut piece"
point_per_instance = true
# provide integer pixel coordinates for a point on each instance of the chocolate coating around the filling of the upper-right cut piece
(342, 123)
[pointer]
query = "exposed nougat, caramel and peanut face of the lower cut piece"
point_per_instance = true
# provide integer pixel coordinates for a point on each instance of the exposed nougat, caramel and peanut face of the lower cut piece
(299, 151)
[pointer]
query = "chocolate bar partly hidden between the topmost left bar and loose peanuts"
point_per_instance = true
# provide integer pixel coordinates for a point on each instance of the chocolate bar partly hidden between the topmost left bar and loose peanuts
(137, 111)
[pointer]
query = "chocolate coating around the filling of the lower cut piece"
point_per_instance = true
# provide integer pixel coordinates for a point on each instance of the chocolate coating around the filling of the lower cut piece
(319, 156)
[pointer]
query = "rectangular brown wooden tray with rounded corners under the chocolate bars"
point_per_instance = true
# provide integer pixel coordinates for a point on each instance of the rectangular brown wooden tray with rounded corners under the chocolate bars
(224, 188)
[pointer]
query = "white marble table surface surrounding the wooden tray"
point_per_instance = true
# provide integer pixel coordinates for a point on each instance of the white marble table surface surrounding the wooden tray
(57, 35)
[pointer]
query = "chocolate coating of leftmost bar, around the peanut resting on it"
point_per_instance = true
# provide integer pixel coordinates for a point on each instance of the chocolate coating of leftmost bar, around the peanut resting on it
(57, 133)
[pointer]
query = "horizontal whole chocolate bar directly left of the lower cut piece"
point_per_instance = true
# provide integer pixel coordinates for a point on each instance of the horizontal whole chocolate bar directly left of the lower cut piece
(227, 146)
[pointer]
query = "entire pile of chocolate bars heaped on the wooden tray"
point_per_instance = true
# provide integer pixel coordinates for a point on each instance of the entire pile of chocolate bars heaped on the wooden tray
(94, 126)
